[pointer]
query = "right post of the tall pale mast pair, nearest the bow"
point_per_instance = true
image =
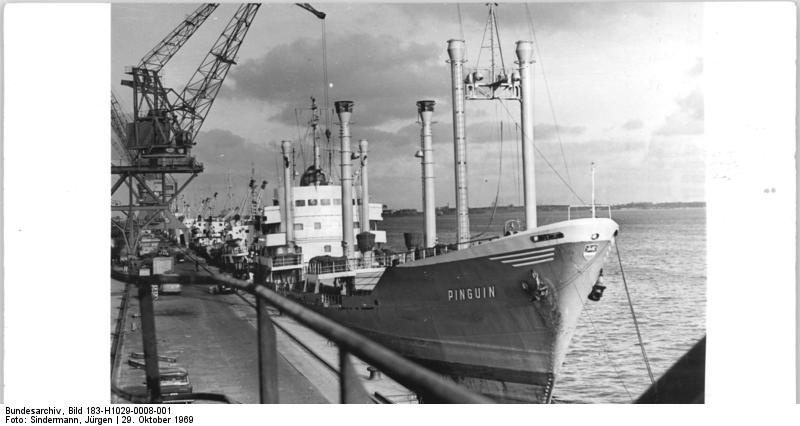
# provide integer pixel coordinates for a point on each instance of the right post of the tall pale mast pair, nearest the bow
(525, 59)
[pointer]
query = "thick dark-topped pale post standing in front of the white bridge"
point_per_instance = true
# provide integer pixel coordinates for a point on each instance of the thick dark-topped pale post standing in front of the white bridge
(344, 109)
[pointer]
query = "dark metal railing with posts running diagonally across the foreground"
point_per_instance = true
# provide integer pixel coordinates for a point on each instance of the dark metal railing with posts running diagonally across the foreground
(430, 386)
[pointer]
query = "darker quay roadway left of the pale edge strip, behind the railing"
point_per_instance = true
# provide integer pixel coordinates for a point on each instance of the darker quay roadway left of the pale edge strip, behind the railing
(217, 346)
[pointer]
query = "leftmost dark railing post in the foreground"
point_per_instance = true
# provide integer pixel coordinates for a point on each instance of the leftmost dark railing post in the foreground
(149, 342)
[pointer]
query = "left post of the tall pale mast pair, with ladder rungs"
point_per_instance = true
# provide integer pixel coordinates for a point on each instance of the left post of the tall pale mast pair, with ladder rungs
(455, 49)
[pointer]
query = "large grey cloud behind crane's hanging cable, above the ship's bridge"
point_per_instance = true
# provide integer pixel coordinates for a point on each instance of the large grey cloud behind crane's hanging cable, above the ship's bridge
(382, 74)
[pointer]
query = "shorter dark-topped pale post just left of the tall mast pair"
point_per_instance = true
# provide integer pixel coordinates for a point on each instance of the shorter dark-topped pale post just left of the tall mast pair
(425, 110)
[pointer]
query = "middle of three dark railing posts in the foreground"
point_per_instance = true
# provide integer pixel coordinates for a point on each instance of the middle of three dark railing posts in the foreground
(267, 356)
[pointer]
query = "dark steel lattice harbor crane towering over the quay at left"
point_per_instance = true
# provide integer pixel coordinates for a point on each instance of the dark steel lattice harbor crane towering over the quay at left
(165, 123)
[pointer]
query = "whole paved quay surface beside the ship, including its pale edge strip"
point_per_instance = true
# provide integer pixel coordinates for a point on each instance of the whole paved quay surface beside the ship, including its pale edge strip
(214, 337)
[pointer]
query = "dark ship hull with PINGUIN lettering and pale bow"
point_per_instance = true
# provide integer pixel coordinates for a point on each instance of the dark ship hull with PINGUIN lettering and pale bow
(497, 317)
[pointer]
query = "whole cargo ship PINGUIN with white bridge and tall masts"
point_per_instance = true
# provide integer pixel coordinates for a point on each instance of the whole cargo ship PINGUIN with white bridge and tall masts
(495, 315)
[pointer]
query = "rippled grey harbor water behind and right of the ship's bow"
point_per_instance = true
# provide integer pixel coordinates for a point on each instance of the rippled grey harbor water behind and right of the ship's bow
(664, 258)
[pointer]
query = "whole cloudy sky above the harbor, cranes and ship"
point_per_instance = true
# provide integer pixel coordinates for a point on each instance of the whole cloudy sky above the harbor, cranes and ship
(624, 83)
